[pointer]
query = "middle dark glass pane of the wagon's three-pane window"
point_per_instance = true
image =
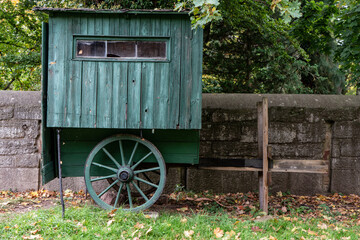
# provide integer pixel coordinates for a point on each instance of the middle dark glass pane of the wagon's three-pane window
(121, 49)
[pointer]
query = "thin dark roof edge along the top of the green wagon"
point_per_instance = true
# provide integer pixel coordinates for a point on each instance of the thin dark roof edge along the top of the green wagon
(117, 11)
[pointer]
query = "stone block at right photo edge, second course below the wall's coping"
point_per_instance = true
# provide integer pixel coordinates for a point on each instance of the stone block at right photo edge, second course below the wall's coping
(348, 129)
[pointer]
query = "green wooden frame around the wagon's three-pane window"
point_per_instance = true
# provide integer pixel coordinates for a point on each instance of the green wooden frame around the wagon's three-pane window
(121, 38)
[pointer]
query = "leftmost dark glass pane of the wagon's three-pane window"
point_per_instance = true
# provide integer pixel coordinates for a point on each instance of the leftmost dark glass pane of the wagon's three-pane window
(90, 48)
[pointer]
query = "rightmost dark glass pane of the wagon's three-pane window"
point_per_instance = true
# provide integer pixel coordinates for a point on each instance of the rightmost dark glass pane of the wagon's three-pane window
(151, 49)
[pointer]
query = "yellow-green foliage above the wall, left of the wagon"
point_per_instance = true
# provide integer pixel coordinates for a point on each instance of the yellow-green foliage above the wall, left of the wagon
(20, 42)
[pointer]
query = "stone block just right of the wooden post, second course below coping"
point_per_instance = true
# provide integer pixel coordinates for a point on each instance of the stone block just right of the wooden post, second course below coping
(281, 132)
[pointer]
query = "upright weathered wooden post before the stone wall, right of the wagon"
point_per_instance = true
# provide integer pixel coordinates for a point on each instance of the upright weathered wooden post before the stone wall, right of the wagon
(262, 108)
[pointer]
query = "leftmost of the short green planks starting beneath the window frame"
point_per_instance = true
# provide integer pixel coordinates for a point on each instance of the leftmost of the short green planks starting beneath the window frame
(89, 94)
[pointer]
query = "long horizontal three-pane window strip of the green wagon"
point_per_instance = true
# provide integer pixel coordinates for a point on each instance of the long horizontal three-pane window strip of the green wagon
(121, 49)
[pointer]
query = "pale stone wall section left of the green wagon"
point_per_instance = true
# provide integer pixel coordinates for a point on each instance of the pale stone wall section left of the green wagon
(20, 118)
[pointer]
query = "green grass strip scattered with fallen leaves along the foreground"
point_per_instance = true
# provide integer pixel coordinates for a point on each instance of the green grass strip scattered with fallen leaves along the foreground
(89, 222)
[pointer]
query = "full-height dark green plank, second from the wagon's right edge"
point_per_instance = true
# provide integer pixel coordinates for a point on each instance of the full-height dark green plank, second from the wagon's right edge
(186, 80)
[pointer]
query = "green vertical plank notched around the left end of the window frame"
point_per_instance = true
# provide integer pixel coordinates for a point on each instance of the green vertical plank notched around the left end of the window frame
(73, 77)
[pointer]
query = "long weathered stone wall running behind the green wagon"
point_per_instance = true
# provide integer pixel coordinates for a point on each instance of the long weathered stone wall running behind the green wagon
(301, 127)
